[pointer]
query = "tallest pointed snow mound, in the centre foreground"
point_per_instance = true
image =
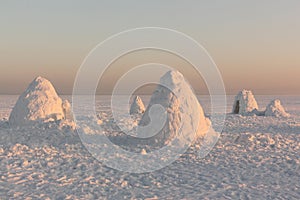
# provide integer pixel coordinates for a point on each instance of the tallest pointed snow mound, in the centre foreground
(183, 110)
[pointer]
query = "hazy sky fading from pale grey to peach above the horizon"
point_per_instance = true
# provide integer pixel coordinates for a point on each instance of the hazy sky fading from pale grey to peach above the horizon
(256, 44)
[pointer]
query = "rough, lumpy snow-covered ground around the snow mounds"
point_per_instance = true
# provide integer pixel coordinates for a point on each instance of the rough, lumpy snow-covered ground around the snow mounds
(255, 158)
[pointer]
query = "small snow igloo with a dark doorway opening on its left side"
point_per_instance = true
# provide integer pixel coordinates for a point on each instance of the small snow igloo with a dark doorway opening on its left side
(244, 103)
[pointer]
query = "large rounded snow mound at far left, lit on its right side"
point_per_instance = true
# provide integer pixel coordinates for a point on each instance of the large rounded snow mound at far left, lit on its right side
(39, 103)
